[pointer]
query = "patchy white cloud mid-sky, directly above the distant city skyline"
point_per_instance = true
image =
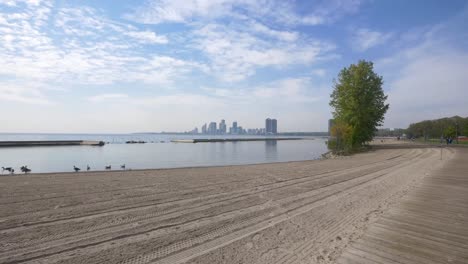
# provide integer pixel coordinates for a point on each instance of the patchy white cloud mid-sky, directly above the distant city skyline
(235, 54)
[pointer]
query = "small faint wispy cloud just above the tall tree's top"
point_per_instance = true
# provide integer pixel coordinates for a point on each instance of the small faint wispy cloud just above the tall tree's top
(365, 39)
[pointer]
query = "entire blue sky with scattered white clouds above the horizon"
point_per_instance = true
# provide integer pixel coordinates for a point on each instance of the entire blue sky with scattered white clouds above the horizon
(118, 66)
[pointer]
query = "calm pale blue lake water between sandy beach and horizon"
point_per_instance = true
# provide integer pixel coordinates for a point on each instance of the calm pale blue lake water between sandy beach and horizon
(161, 153)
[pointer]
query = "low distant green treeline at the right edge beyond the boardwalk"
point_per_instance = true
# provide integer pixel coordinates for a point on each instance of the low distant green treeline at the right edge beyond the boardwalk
(444, 127)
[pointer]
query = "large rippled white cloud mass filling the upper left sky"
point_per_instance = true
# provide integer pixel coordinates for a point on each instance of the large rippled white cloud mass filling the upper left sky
(80, 46)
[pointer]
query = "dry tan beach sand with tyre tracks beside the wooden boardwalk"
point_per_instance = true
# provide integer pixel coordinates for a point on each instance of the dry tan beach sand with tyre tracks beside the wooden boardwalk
(296, 212)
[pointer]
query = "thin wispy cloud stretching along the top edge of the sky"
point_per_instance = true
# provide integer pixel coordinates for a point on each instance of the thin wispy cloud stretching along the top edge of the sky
(187, 11)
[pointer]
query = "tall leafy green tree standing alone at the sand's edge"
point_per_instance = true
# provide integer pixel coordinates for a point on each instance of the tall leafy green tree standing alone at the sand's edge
(359, 102)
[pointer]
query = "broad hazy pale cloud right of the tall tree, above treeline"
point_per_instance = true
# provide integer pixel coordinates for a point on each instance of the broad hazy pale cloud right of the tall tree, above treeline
(429, 86)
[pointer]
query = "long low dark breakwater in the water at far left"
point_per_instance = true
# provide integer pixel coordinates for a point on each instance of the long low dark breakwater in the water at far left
(41, 143)
